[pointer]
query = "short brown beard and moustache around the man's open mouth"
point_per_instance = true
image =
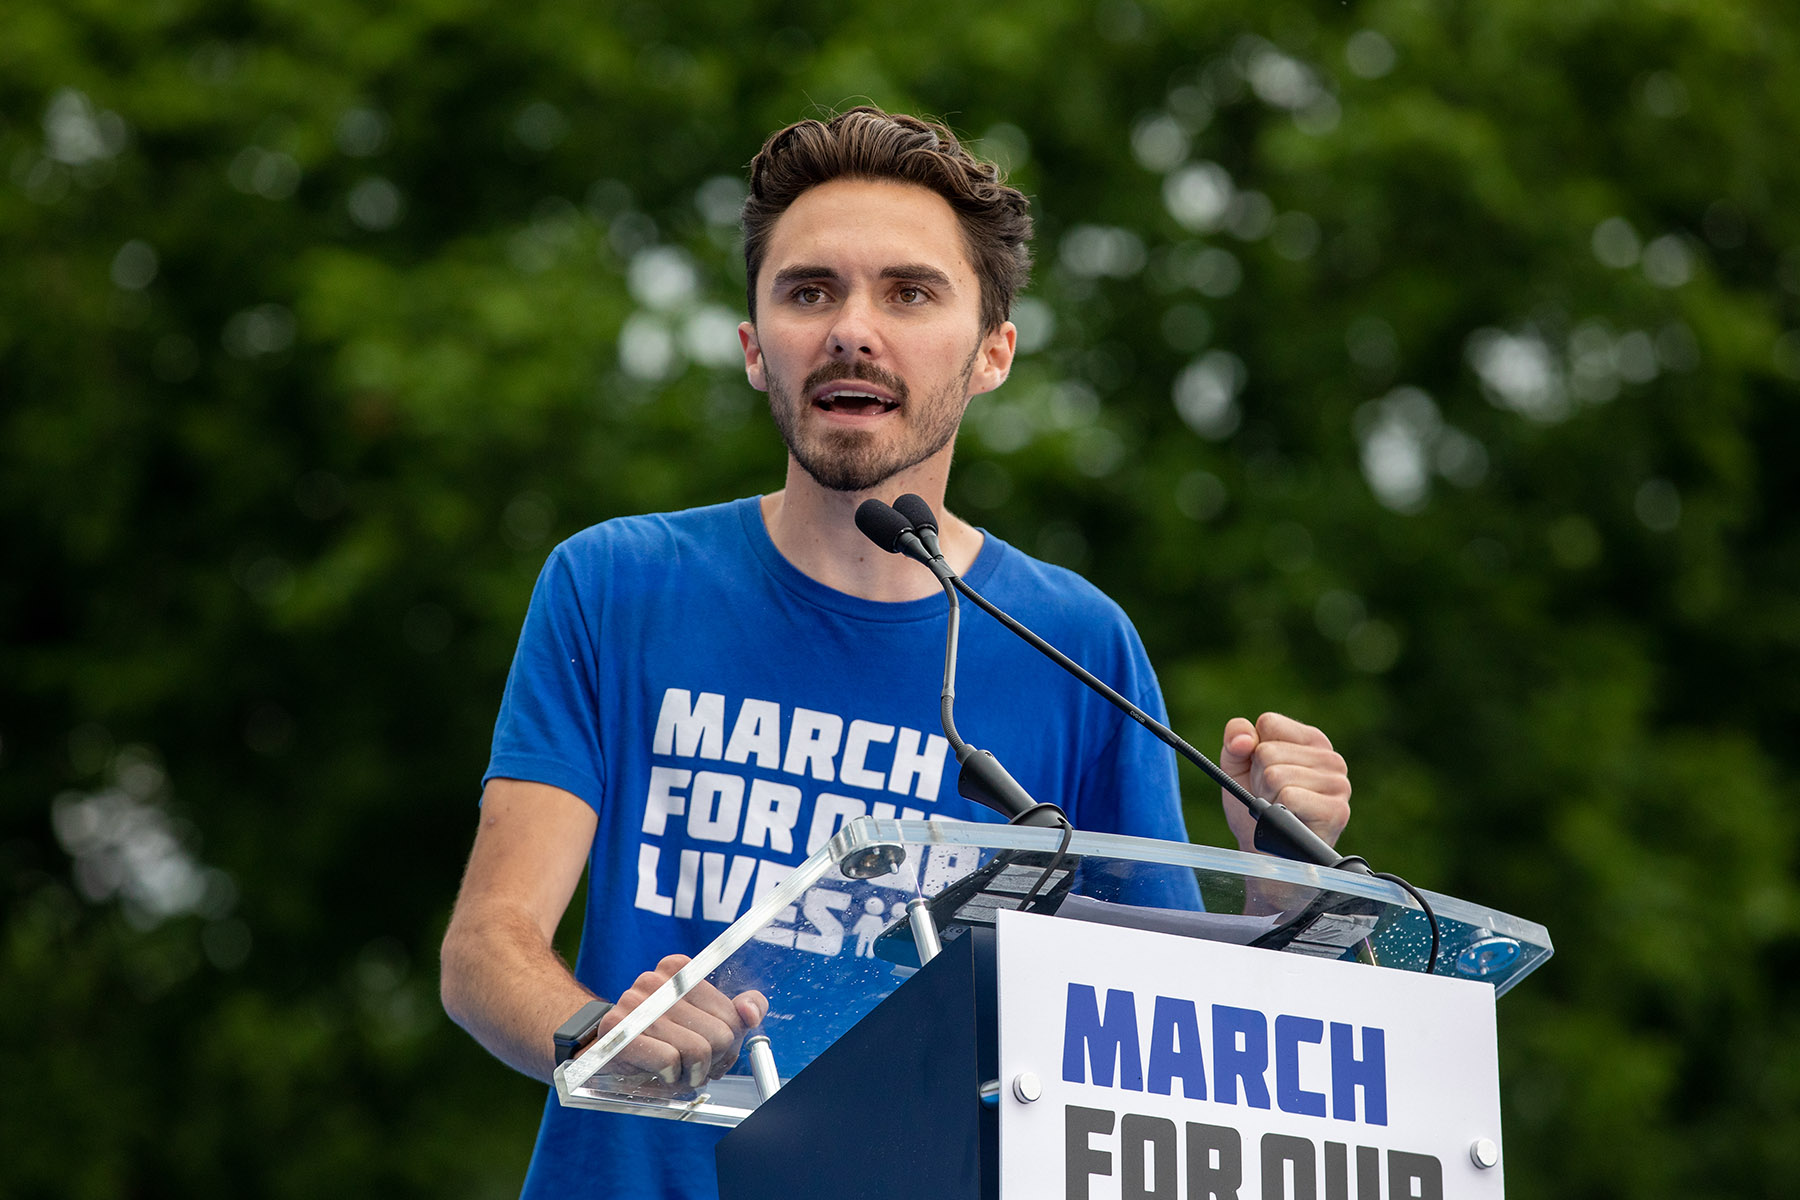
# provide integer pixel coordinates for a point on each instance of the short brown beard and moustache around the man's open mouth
(863, 460)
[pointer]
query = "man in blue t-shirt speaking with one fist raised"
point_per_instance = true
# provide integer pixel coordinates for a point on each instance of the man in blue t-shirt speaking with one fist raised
(701, 699)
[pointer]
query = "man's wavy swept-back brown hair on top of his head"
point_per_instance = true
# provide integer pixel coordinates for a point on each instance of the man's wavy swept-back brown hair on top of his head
(872, 145)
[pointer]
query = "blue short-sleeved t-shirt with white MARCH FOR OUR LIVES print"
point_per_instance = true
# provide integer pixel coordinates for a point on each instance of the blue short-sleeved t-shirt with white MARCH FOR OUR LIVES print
(705, 695)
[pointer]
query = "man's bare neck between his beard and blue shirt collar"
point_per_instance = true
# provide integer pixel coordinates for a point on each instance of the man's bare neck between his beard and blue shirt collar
(816, 530)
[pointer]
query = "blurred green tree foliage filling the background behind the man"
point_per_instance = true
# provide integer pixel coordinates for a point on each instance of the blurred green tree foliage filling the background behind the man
(1466, 433)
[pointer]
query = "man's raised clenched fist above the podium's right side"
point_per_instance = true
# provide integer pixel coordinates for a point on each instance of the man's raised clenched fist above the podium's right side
(1288, 764)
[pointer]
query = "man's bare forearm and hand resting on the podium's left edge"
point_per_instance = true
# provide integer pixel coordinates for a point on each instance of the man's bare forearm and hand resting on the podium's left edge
(503, 980)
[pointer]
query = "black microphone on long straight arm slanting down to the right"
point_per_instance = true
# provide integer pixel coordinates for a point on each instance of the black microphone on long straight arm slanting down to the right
(1279, 830)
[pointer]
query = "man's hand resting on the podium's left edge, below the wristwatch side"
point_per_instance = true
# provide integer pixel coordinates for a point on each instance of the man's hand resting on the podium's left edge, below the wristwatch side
(694, 1043)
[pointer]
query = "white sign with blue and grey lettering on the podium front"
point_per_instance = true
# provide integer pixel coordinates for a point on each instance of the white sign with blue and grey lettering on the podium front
(1140, 1064)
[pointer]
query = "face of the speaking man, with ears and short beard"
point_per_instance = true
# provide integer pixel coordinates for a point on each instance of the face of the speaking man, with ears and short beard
(868, 332)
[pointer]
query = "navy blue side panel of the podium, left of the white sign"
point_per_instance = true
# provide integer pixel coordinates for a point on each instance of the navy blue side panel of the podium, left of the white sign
(894, 1109)
